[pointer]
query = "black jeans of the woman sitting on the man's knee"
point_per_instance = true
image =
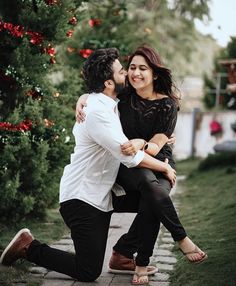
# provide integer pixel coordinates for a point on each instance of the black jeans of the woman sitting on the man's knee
(155, 206)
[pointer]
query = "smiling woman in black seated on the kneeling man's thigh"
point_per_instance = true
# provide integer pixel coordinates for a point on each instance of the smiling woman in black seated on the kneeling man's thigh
(148, 110)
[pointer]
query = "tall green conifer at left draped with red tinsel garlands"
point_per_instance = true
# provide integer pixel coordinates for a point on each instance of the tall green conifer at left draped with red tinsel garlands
(33, 121)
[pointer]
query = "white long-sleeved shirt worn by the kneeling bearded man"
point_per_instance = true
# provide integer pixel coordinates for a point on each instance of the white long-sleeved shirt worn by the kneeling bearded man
(97, 155)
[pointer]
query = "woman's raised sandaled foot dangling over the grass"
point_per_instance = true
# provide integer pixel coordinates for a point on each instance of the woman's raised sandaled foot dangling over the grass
(191, 251)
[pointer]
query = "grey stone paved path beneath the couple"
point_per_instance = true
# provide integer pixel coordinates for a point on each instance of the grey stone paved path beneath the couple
(163, 257)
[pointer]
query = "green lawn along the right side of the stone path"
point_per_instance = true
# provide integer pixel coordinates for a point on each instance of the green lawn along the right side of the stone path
(208, 212)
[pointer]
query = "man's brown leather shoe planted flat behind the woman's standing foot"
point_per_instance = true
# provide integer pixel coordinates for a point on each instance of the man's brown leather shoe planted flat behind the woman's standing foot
(123, 265)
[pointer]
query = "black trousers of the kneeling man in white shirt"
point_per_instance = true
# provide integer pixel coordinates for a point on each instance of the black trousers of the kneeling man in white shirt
(89, 229)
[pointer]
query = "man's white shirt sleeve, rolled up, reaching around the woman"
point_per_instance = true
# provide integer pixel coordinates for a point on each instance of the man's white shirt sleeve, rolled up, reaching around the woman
(105, 129)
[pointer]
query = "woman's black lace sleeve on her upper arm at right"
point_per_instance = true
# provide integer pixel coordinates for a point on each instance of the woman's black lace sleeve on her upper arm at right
(168, 119)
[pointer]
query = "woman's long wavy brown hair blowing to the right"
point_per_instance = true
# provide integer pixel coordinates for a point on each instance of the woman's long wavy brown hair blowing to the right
(164, 83)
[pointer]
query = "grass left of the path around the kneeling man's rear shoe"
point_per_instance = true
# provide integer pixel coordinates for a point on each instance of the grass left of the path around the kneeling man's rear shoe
(46, 231)
